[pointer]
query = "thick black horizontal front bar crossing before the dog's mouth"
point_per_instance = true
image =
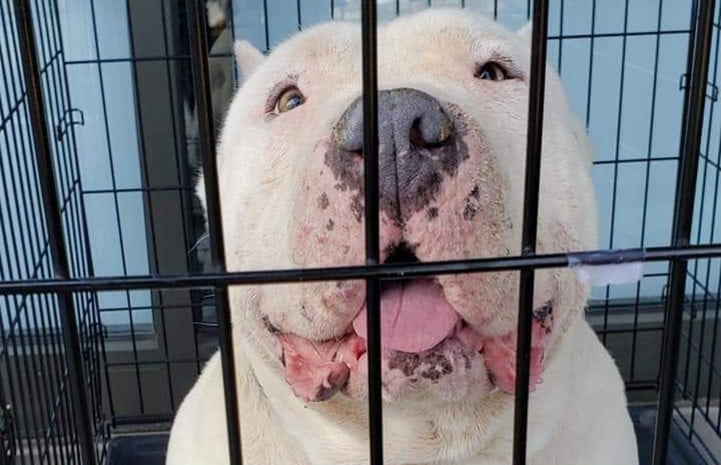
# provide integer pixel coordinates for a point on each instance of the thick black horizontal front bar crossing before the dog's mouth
(391, 271)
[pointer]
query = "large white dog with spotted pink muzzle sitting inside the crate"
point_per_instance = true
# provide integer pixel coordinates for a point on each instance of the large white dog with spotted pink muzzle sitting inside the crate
(453, 110)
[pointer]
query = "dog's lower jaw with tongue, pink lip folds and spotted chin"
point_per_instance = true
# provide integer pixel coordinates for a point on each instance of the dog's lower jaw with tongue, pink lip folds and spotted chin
(428, 352)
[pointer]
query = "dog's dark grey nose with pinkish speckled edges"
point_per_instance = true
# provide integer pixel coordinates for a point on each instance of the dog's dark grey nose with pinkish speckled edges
(415, 138)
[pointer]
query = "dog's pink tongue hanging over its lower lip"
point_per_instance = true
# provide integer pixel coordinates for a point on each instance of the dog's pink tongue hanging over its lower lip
(415, 316)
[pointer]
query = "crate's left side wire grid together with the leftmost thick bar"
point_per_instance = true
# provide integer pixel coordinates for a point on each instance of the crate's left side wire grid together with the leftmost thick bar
(50, 380)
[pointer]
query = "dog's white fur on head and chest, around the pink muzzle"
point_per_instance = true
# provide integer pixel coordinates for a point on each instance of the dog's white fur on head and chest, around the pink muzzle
(577, 415)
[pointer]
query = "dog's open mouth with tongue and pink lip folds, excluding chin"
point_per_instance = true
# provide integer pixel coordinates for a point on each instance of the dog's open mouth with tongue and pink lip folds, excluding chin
(416, 320)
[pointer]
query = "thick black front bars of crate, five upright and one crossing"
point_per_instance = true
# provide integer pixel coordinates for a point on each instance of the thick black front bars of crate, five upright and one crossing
(677, 254)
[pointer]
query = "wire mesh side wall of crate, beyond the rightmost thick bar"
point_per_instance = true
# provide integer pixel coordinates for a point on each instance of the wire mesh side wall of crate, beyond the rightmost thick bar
(698, 382)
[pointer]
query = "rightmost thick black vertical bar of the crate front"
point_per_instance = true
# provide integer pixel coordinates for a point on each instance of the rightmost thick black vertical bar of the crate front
(683, 218)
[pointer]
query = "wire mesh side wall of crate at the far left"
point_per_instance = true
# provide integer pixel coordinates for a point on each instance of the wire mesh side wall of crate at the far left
(37, 416)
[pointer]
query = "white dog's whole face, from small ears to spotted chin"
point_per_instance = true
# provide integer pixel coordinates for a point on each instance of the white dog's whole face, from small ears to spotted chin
(452, 114)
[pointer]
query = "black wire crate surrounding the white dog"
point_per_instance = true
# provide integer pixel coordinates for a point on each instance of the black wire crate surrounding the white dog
(72, 388)
